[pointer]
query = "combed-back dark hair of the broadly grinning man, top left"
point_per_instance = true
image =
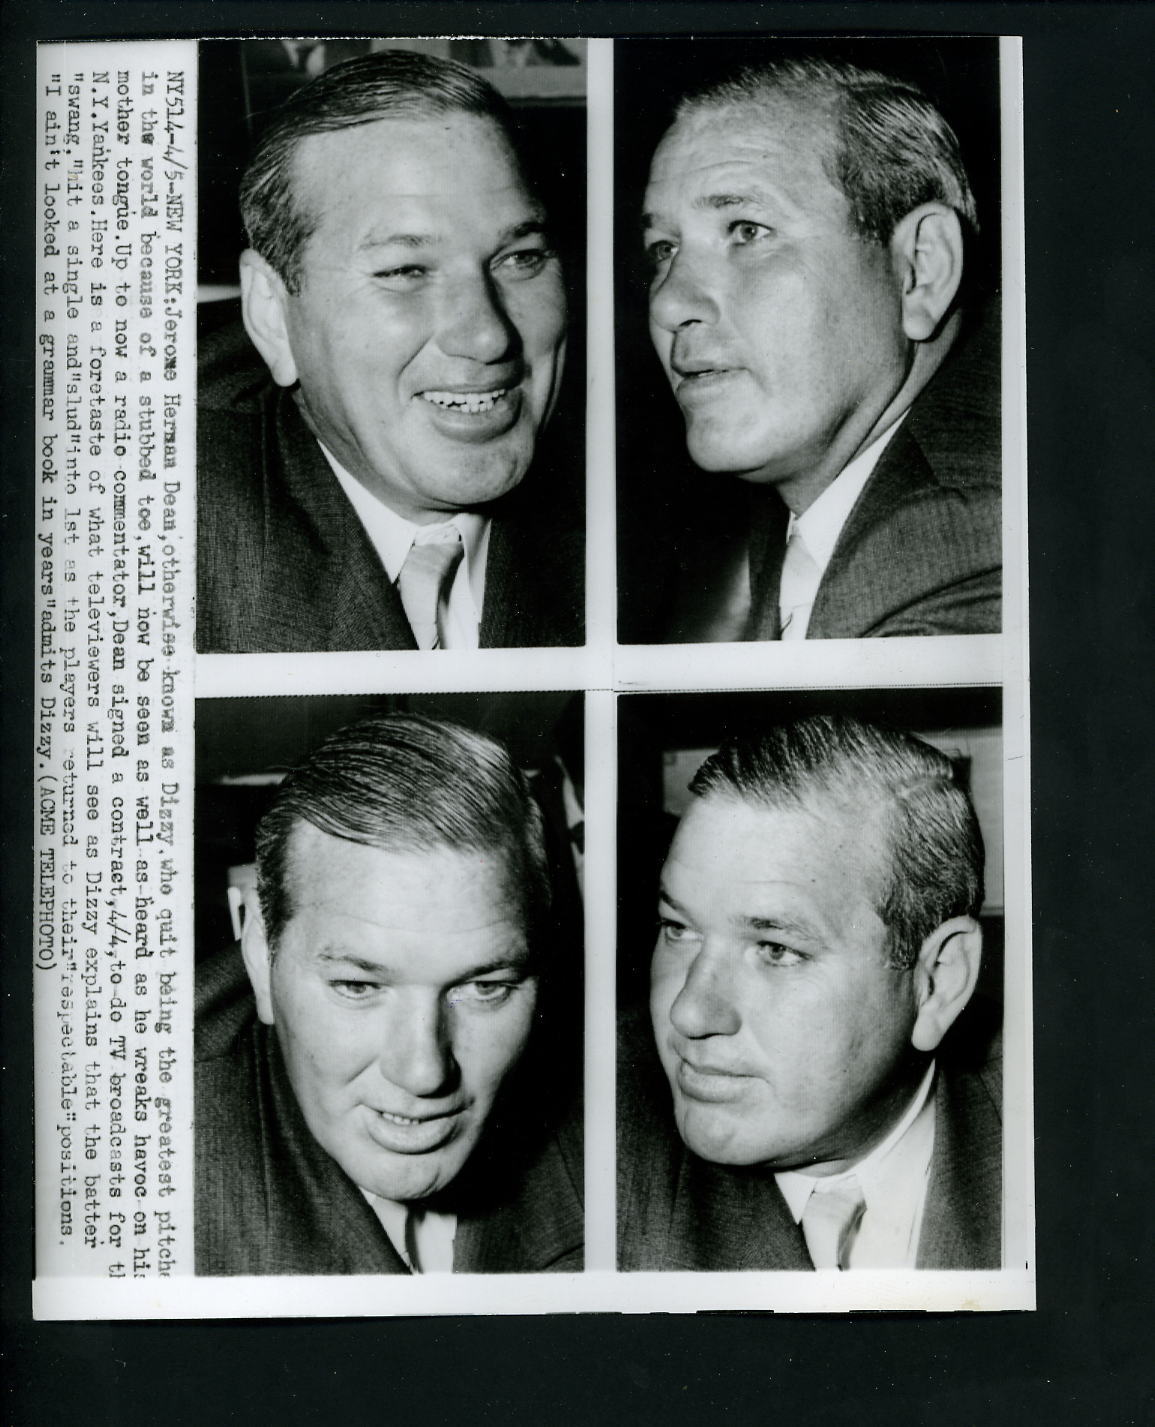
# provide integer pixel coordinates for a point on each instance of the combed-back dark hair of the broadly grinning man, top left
(388, 85)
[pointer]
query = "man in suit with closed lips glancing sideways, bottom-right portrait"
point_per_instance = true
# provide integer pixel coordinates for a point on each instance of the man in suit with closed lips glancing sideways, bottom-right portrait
(814, 1105)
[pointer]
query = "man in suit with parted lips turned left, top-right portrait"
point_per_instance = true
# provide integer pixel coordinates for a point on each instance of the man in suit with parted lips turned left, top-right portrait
(807, 232)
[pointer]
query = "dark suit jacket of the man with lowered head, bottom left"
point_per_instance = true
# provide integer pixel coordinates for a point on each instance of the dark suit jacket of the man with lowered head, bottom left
(271, 1201)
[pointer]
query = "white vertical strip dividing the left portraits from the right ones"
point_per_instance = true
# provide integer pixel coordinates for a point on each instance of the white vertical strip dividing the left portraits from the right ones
(600, 701)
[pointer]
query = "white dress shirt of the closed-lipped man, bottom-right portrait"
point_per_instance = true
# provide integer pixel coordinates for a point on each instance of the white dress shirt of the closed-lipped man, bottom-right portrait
(893, 1178)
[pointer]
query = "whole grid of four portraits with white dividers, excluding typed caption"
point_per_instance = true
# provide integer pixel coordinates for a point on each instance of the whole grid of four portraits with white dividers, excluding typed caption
(645, 900)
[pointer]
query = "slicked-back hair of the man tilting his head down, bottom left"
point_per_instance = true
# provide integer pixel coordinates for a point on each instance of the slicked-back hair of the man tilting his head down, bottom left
(406, 784)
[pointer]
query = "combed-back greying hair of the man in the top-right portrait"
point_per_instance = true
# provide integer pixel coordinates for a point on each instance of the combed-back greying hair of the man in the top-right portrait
(892, 152)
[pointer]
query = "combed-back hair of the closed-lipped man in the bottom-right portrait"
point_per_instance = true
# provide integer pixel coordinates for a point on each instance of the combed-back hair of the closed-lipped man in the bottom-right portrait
(932, 855)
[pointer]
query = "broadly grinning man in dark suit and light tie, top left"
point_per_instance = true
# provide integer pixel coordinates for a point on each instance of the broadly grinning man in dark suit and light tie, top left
(410, 310)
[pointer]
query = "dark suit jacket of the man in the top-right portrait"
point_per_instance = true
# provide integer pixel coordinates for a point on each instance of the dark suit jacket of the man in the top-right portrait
(922, 553)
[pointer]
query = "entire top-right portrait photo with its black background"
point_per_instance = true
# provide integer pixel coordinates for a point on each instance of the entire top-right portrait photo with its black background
(809, 339)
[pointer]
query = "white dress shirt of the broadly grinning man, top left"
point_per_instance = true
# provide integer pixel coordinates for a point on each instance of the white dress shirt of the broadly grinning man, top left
(392, 537)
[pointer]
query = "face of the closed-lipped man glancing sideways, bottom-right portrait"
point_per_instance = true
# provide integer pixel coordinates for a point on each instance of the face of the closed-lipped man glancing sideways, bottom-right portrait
(780, 1027)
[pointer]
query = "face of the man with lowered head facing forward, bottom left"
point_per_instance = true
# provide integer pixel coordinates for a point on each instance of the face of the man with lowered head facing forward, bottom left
(402, 992)
